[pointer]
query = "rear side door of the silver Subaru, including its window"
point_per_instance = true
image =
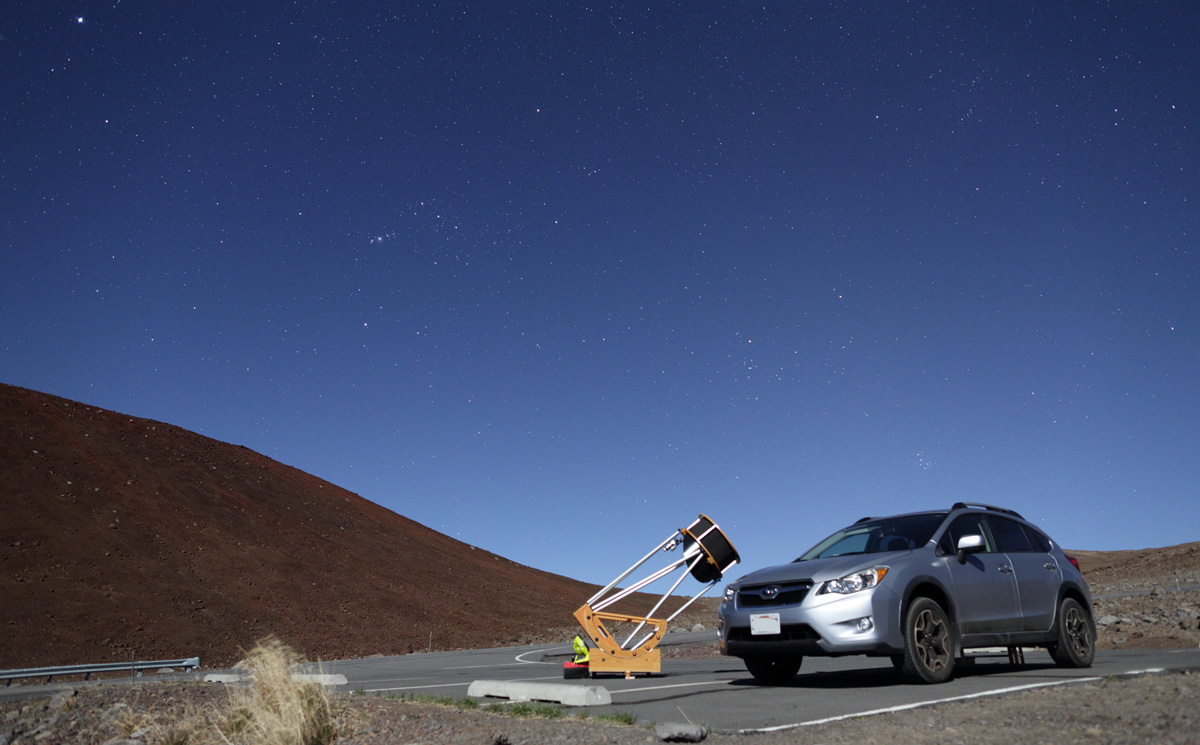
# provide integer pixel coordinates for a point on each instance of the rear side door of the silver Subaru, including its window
(1039, 575)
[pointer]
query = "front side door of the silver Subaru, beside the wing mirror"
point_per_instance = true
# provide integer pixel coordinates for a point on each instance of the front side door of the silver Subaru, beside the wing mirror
(985, 587)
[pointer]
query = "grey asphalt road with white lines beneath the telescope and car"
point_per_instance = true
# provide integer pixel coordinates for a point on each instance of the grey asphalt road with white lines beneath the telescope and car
(722, 694)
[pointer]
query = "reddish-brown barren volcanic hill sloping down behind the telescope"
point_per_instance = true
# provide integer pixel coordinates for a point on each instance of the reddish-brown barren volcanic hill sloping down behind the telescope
(124, 537)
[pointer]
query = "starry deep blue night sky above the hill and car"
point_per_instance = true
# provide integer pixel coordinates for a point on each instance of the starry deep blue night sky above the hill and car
(555, 278)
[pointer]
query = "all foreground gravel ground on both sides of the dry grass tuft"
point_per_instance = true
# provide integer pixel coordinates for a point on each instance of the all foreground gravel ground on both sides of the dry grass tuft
(1136, 711)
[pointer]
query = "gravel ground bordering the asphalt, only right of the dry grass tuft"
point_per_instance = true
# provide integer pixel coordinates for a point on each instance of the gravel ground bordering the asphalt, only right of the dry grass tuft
(1135, 711)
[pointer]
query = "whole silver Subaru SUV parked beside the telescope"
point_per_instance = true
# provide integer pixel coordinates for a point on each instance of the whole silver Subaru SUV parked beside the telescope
(916, 588)
